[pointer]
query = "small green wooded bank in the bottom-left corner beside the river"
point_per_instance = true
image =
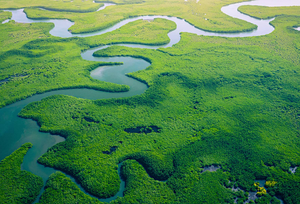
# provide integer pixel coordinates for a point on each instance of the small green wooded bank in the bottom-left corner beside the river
(18, 186)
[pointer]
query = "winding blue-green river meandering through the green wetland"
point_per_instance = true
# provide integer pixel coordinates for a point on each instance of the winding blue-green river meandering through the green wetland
(15, 131)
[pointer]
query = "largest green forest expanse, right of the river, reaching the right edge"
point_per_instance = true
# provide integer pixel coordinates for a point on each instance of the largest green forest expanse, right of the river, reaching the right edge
(225, 101)
